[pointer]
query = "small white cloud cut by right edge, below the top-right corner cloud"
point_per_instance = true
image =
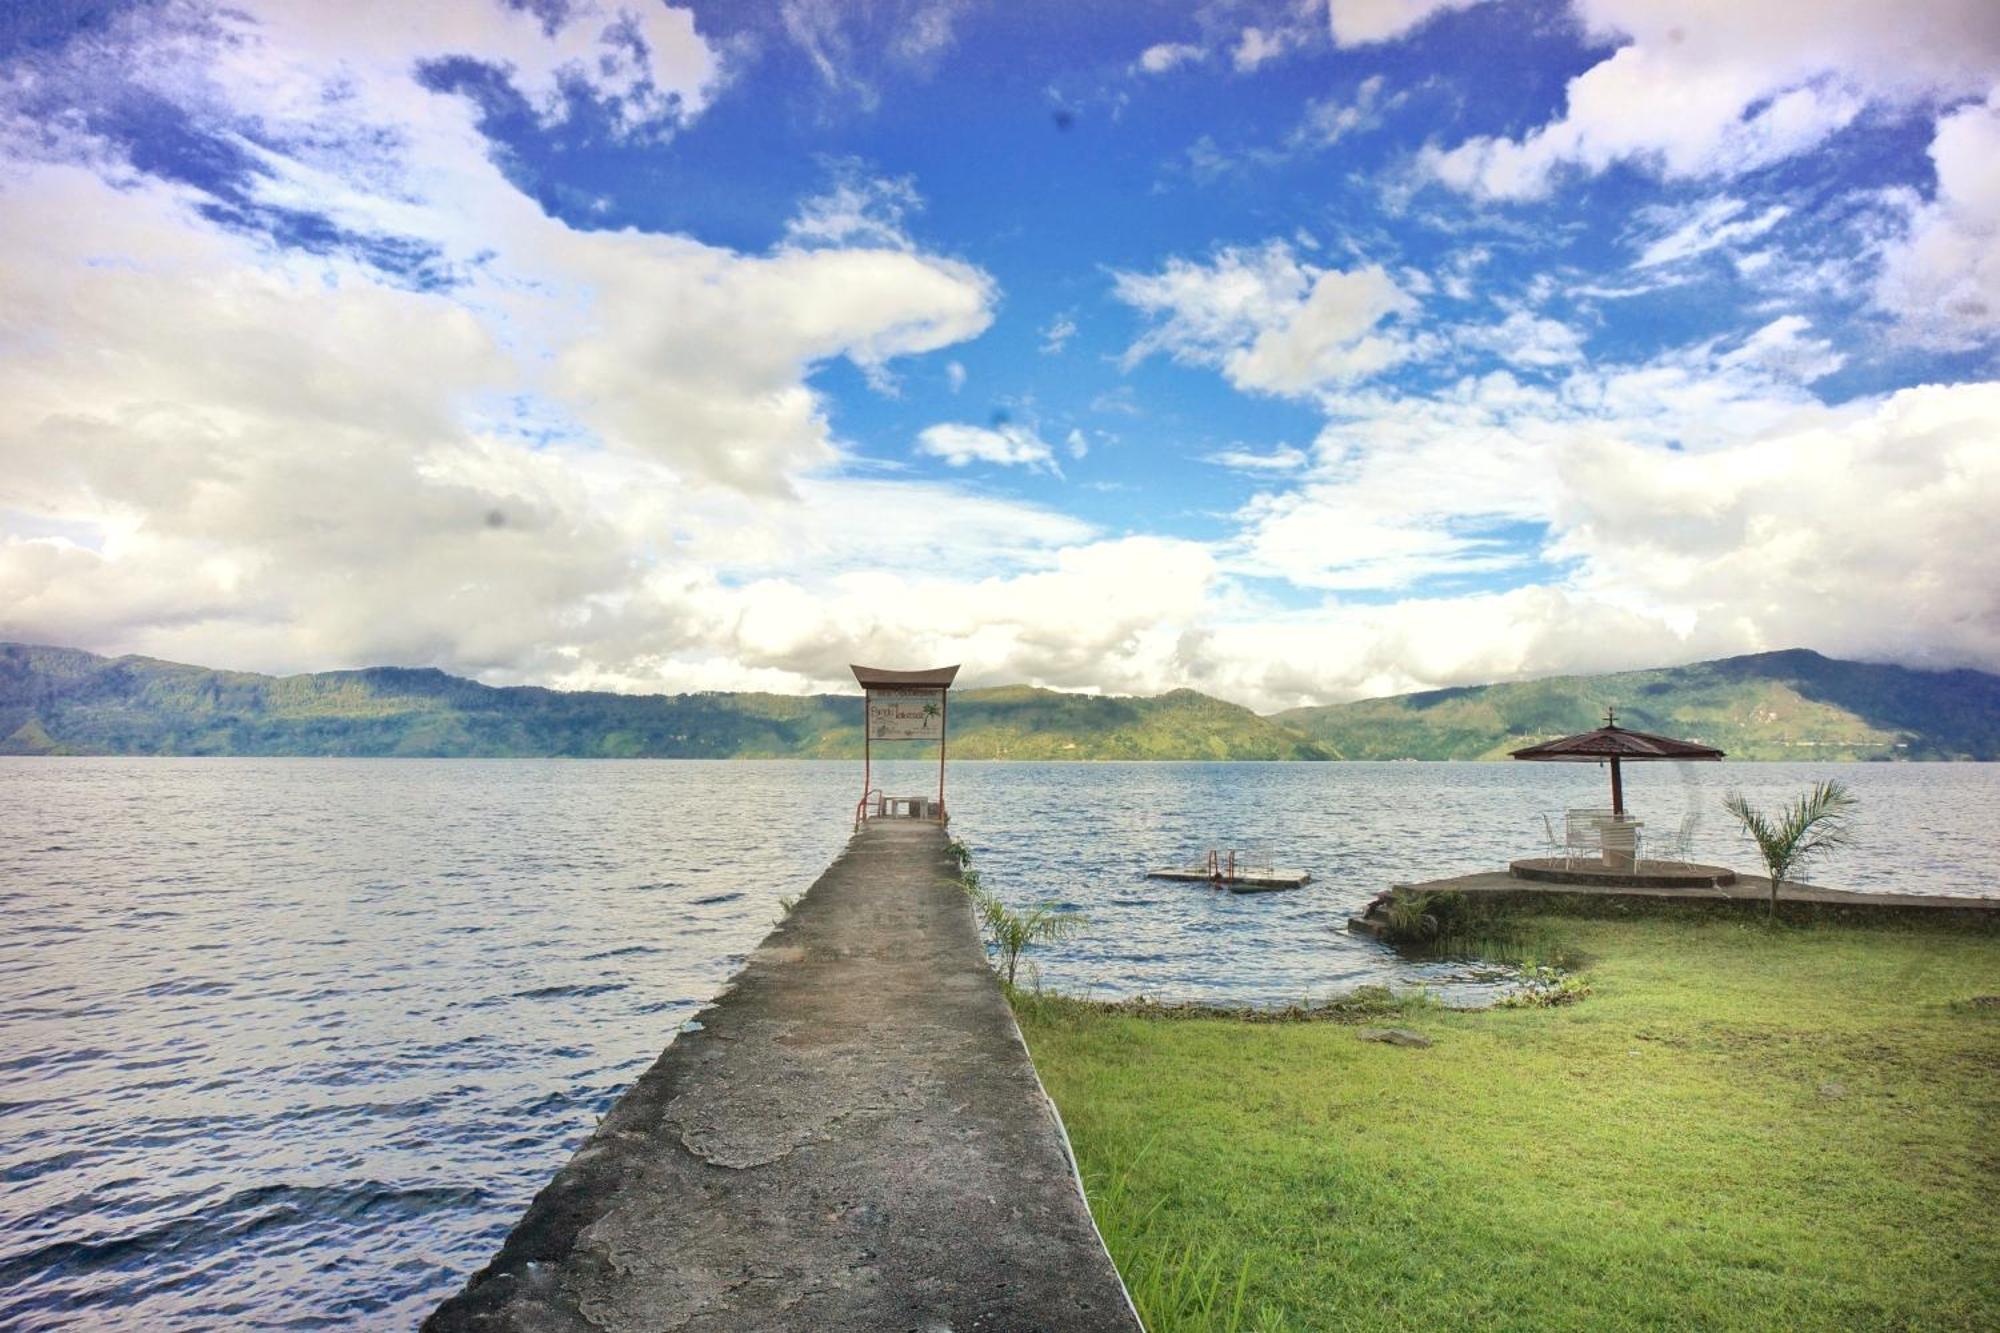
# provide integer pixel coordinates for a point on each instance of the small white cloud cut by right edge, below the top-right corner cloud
(1943, 277)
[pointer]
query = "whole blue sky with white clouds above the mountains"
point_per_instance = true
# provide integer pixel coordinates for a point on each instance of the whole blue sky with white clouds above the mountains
(1293, 351)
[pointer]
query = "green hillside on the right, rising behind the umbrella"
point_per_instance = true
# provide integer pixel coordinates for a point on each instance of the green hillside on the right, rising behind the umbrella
(1769, 706)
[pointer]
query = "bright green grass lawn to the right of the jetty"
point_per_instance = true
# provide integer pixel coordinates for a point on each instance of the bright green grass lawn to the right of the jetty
(1737, 1130)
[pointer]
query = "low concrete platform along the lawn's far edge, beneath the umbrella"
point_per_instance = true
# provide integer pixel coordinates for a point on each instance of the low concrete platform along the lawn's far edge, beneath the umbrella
(1743, 890)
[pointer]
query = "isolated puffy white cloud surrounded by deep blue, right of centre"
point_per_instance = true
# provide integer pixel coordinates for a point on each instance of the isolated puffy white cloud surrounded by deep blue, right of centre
(1269, 321)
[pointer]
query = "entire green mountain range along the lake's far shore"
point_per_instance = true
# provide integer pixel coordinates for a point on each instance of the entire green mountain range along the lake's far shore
(1769, 706)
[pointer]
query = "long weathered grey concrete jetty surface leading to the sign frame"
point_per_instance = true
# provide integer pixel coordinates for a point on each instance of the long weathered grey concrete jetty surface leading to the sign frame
(851, 1140)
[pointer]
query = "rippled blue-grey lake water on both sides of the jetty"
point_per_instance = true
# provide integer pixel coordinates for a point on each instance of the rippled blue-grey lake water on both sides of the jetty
(291, 1044)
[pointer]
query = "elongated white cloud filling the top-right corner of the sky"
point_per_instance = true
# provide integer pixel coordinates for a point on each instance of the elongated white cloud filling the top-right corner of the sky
(1731, 89)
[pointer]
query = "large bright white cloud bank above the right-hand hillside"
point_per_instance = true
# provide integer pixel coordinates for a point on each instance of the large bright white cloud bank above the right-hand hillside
(1863, 535)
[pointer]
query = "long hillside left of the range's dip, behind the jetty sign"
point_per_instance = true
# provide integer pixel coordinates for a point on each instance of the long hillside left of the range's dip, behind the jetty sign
(61, 702)
